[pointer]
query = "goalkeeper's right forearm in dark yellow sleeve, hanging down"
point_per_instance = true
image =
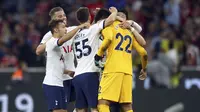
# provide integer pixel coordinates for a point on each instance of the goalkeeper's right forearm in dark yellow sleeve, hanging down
(142, 52)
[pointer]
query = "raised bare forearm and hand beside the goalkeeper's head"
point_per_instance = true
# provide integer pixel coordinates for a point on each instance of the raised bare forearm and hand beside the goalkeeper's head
(112, 17)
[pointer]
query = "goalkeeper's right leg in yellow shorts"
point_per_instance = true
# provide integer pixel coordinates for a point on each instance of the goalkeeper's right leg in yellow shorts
(126, 93)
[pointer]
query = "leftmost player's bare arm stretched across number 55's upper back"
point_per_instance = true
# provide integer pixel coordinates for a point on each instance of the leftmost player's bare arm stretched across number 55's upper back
(69, 35)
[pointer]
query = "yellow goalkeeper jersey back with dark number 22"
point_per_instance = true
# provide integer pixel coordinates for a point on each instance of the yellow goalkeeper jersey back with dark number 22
(119, 53)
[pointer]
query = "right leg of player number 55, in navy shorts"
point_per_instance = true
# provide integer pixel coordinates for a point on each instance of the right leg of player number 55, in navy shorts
(91, 85)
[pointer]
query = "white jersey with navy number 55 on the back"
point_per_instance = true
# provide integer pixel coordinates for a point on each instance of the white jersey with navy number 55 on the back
(86, 44)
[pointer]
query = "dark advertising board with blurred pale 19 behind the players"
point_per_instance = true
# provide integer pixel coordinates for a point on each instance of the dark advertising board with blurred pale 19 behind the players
(144, 100)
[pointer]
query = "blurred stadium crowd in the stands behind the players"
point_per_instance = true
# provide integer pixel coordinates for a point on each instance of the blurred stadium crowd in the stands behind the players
(170, 27)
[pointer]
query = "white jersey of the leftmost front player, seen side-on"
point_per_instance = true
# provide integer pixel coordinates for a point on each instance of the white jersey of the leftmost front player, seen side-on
(54, 63)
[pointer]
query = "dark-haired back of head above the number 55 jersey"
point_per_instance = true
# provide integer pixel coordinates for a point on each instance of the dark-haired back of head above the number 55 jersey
(82, 14)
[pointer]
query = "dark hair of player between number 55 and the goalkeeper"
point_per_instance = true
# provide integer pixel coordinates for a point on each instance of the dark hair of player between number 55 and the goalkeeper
(101, 14)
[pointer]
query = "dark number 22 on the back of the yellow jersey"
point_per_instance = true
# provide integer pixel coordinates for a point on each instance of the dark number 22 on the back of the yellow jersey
(122, 39)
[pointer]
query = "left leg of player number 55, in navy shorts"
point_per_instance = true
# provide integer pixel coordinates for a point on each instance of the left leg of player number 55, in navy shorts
(81, 101)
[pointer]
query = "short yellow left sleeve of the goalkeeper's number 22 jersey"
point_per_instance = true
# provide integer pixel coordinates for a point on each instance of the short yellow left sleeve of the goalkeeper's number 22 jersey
(107, 33)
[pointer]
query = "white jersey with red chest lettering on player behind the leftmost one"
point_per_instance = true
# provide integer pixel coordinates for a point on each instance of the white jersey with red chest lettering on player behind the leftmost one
(68, 52)
